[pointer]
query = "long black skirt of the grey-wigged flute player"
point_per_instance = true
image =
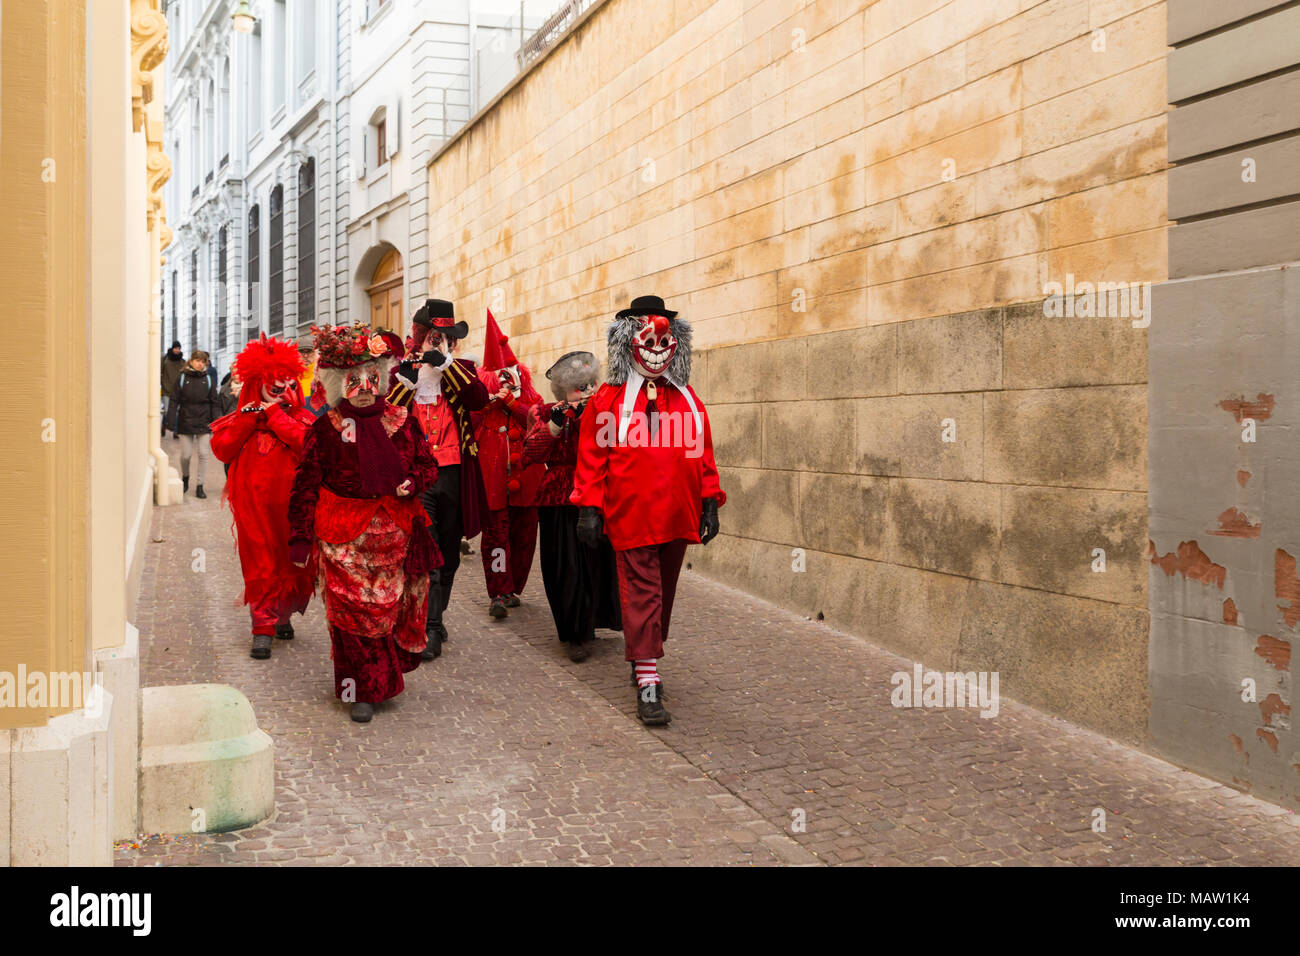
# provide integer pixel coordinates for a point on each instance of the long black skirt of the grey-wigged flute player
(582, 583)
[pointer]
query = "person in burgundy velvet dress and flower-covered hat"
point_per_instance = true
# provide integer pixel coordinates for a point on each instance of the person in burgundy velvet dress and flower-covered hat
(357, 518)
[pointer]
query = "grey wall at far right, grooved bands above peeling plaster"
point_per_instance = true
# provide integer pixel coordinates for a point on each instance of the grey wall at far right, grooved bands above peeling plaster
(1224, 412)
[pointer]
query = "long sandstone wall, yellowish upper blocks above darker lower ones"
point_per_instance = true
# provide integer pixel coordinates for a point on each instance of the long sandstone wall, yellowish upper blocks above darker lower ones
(859, 206)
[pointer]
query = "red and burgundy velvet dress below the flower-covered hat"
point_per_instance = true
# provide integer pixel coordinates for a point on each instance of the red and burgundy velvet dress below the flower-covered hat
(372, 553)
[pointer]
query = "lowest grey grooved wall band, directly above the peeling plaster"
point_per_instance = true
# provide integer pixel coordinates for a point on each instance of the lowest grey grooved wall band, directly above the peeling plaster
(1237, 241)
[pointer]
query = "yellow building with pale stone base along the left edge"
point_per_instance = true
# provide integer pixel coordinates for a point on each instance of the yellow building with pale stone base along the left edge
(84, 224)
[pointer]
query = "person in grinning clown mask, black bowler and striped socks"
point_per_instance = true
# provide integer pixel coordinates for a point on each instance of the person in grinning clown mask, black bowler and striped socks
(647, 478)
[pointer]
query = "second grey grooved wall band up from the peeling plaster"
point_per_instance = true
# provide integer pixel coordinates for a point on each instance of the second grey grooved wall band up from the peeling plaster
(1217, 184)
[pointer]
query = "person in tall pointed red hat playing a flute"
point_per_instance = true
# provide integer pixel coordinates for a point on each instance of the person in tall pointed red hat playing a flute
(510, 526)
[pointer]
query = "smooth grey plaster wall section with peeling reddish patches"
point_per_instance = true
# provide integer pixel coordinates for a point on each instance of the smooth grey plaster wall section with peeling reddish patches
(1216, 343)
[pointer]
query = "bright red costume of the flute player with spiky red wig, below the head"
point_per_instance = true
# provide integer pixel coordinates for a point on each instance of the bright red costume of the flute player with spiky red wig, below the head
(263, 451)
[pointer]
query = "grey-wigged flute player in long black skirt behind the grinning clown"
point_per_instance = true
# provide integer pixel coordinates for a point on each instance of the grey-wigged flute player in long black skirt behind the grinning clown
(582, 583)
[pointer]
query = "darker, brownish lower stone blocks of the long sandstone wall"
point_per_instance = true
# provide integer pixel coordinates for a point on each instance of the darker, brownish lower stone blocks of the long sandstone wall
(848, 505)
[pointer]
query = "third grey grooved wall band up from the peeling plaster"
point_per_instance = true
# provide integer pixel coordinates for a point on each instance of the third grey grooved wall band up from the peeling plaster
(1262, 110)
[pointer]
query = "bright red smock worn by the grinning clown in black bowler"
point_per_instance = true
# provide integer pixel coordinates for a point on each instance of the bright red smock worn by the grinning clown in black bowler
(649, 491)
